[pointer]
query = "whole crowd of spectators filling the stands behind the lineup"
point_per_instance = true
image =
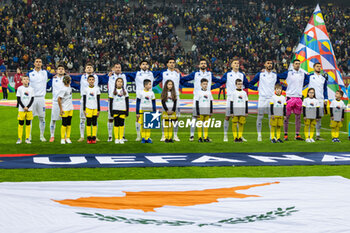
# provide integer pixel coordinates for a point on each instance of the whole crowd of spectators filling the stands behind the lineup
(105, 32)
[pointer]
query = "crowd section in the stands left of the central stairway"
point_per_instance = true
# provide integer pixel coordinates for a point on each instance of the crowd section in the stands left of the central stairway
(73, 33)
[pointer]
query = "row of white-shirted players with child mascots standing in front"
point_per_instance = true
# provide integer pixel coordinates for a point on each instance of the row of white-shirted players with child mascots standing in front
(270, 101)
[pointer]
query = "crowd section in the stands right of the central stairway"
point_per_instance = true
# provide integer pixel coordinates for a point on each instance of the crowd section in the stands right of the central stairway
(256, 31)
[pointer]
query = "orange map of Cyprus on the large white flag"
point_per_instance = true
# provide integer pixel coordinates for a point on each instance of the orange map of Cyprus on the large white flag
(150, 200)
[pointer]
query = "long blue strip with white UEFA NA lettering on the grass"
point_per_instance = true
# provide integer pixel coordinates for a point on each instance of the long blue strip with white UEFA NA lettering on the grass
(174, 160)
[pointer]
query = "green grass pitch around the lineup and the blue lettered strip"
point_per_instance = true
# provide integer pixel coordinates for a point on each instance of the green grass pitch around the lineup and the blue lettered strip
(9, 123)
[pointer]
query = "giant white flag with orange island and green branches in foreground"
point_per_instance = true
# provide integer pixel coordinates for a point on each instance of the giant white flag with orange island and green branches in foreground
(298, 204)
